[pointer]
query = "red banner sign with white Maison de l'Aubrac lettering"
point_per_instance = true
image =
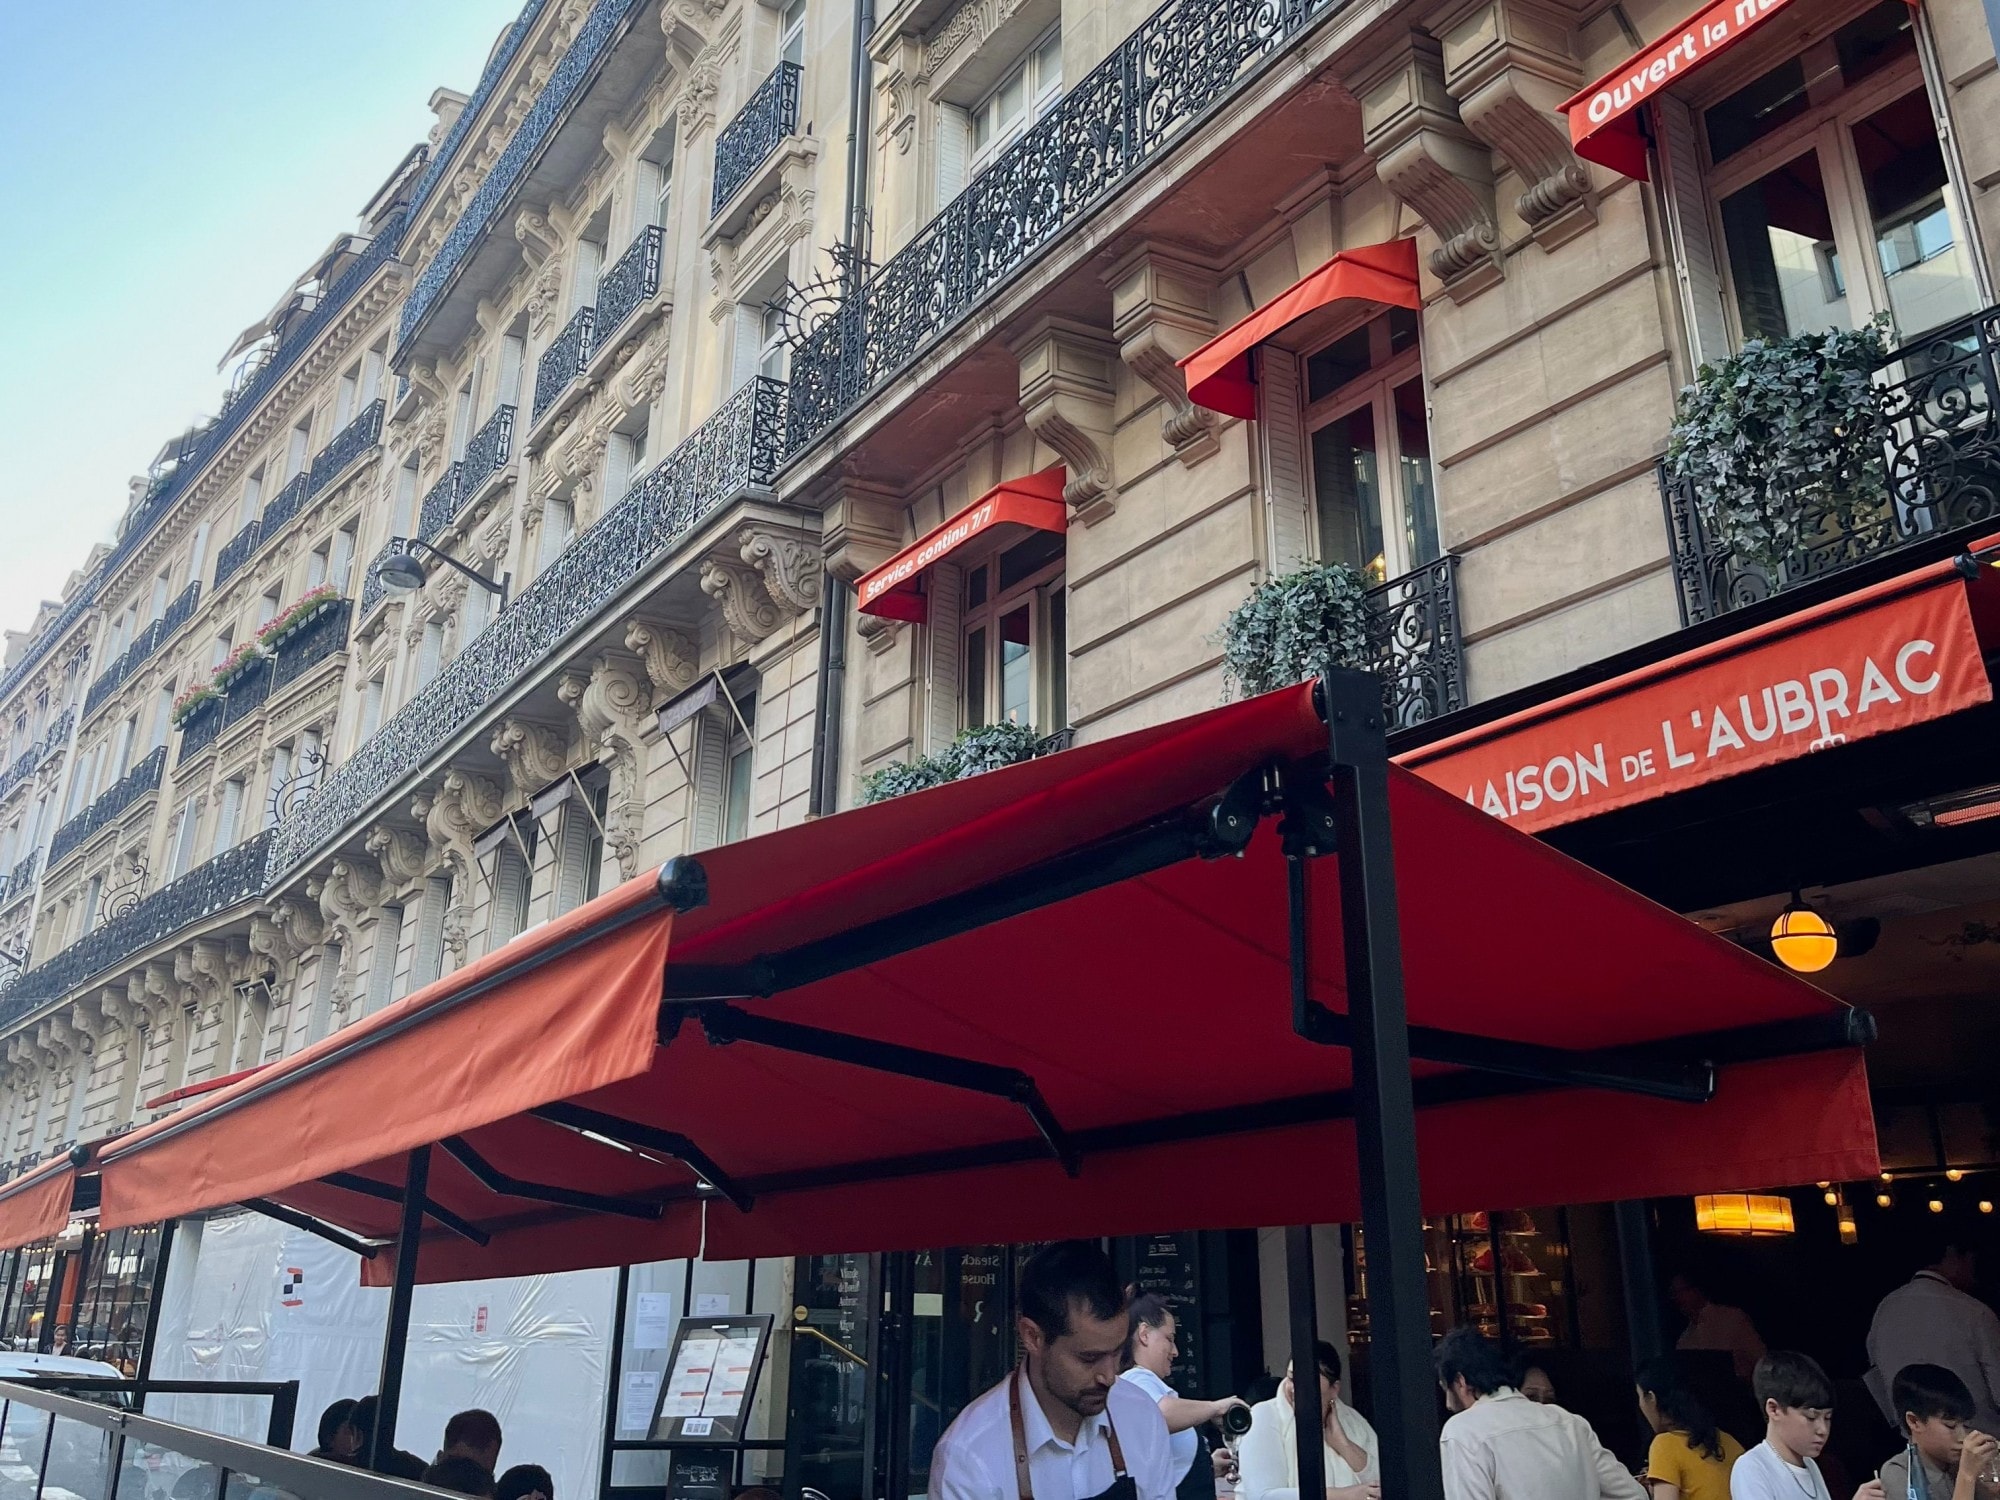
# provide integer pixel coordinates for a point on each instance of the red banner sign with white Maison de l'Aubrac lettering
(1867, 665)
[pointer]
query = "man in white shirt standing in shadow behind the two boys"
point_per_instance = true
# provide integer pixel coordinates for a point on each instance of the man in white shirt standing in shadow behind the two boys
(1935, 1319)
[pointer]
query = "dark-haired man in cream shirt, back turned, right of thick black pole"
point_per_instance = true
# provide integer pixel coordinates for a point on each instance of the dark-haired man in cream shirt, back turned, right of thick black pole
(1503, 1447)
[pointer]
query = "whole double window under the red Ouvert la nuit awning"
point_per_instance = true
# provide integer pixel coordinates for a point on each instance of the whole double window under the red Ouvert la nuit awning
(1833, 195)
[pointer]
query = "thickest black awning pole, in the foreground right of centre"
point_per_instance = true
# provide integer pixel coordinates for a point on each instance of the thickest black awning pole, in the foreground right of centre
(1385, 1107)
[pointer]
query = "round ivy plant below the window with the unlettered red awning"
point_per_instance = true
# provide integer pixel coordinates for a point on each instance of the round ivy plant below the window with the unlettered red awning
(1297, 625)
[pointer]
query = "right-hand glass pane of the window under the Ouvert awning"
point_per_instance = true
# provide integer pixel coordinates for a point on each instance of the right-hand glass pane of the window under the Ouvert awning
(1915, 225)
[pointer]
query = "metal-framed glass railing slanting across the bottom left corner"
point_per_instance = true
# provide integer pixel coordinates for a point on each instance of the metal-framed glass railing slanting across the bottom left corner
(57, 1447)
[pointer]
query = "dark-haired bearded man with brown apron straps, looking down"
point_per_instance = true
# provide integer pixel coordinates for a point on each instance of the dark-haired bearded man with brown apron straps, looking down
(1063, 1427)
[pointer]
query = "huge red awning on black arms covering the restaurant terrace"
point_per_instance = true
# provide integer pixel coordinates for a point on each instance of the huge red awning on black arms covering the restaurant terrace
(903, 1093)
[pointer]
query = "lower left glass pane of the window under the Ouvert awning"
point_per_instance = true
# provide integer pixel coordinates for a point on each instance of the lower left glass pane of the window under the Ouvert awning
(1781, 239)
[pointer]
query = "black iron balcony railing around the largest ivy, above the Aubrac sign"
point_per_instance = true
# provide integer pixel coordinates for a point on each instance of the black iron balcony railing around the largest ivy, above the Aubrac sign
(1939, 403)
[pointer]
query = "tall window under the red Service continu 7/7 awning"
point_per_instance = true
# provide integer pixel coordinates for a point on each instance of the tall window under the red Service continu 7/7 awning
(1015, 637)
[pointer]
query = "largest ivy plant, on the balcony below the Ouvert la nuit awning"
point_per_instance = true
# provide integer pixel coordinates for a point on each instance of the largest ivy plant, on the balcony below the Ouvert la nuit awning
(1785, 443)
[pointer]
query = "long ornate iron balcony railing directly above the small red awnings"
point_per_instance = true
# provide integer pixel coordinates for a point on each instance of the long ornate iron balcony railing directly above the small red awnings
(1183, 61)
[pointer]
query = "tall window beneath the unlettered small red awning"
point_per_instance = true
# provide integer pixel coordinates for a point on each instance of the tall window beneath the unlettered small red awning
(1369, 441)
